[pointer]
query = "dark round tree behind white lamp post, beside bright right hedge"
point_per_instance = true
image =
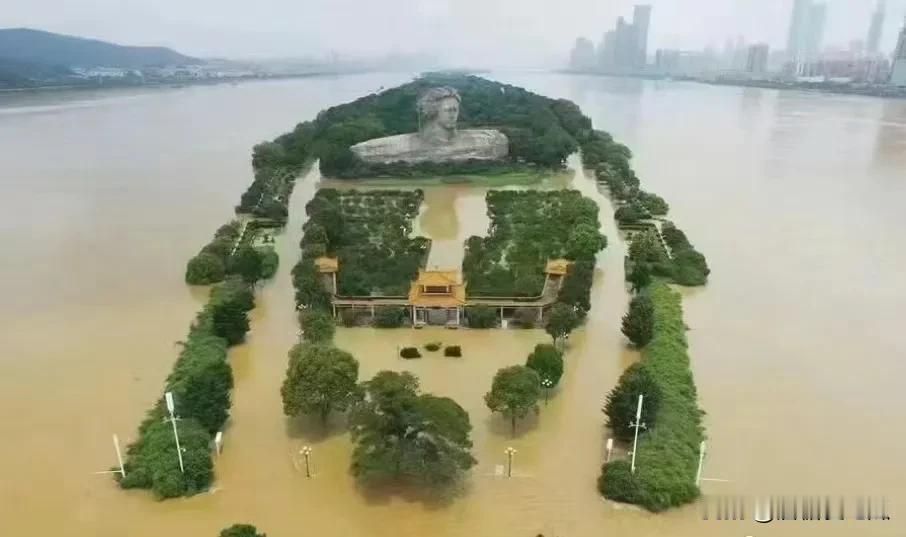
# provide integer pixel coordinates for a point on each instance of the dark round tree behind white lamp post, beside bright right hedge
(622, 401)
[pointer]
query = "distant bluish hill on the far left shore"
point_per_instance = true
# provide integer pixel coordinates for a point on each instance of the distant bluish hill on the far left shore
(24, 45)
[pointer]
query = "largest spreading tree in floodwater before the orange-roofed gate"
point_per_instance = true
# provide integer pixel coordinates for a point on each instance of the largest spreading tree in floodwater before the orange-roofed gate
(399, 433)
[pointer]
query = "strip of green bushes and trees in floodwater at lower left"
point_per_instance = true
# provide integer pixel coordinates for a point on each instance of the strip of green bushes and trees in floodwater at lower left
(201, 381)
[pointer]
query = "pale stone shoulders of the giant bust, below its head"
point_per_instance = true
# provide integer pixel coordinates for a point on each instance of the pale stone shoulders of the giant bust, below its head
(470, 144)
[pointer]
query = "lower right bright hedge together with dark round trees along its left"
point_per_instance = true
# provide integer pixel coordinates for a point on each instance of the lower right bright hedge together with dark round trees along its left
(667, 451)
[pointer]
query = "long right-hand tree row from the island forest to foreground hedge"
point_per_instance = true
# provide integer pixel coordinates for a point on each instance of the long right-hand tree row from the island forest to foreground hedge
(667, 451)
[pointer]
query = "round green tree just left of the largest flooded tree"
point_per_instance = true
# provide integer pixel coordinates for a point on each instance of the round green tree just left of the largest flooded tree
(319, 380)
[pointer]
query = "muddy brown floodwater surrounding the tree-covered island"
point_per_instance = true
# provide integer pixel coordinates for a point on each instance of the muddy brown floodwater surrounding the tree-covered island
(797, 343)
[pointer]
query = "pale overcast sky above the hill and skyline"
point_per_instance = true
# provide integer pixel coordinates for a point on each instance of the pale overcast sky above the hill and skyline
(466, 31)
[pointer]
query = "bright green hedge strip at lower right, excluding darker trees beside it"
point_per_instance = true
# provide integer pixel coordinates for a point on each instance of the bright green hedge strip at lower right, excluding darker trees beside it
(668, 451)
